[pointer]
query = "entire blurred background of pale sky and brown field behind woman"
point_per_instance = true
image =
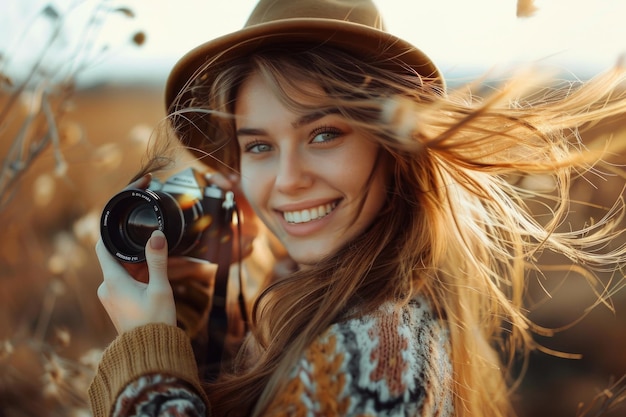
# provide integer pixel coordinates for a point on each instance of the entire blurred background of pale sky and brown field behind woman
(81, 86)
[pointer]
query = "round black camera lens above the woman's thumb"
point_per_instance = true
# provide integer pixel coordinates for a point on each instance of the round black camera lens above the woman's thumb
(131, 216)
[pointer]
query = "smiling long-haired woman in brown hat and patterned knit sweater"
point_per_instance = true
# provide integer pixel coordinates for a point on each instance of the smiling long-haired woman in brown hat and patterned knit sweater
(396, 202)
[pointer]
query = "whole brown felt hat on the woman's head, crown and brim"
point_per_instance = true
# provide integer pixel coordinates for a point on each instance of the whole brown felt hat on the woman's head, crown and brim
(354, 26)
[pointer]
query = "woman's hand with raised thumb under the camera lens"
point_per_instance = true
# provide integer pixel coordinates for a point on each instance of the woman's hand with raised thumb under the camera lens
(131, 303)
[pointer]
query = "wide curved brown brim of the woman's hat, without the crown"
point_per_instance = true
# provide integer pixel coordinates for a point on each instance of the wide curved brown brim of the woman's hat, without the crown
(359, 40)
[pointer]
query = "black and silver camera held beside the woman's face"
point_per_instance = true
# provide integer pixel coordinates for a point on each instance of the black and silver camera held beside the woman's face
(195, 217)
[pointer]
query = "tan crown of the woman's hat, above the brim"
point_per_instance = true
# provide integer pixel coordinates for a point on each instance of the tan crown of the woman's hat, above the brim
(363, 12)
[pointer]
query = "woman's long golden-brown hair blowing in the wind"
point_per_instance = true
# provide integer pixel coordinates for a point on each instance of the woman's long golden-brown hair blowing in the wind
(455, 227)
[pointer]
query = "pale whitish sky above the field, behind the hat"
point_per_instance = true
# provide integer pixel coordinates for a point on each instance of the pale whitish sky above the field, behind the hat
(465, 38)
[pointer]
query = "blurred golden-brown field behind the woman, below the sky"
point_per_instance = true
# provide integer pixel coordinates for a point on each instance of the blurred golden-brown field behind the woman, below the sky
(52, 327)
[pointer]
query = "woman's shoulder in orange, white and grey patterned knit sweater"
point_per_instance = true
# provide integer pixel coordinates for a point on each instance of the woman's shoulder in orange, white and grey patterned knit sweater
(393, 361)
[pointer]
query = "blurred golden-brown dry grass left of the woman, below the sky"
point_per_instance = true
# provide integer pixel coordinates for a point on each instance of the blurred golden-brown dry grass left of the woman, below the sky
(52, 327)
